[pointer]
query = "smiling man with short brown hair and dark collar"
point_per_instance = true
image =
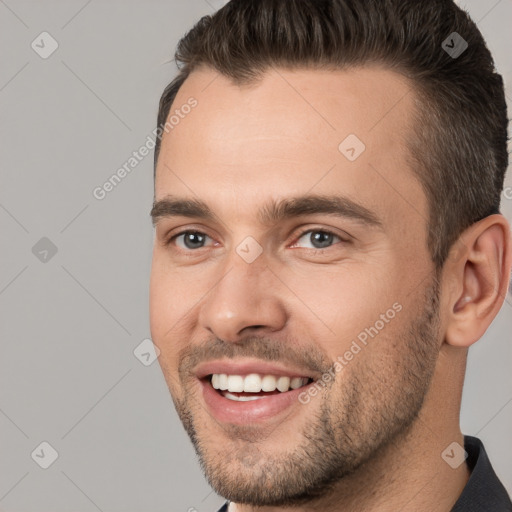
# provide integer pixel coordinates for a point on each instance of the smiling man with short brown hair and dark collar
(328, 246)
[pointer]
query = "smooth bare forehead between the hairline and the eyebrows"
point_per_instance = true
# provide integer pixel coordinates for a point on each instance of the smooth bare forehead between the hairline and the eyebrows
(289, 133)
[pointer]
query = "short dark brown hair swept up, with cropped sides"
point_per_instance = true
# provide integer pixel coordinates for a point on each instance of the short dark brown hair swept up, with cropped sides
(459, 146)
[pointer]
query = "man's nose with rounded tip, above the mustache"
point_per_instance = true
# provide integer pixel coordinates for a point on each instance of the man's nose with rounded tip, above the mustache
(246, 300)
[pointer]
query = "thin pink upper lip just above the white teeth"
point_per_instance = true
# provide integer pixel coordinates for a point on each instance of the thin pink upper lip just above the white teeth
(248, 366)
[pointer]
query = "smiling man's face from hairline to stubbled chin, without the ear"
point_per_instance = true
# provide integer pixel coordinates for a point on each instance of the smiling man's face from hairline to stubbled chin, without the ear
(289, 291)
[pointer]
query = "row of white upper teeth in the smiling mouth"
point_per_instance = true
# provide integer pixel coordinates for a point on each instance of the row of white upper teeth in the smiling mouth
(254, 383)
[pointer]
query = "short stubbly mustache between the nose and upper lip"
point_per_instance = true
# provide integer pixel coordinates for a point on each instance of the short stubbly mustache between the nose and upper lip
(307, 356)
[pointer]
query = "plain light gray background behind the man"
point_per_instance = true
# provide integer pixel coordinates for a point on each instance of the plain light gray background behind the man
(70, 324)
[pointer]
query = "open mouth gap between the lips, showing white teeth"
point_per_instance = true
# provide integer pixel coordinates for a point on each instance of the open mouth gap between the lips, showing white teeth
(254, 386)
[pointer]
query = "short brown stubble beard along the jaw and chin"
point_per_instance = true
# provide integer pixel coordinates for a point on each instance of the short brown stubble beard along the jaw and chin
(361, 412)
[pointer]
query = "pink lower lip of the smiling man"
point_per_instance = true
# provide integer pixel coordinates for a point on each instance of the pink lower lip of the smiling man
(253, 411)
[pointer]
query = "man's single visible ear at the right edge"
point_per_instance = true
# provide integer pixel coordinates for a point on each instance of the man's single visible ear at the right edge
(476, 277)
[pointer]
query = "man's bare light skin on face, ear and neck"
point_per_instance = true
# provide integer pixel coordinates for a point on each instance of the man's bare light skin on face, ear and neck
(394, 408)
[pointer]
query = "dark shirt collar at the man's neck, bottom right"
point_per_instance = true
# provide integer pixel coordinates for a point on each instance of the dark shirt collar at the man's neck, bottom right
(483, 491)
